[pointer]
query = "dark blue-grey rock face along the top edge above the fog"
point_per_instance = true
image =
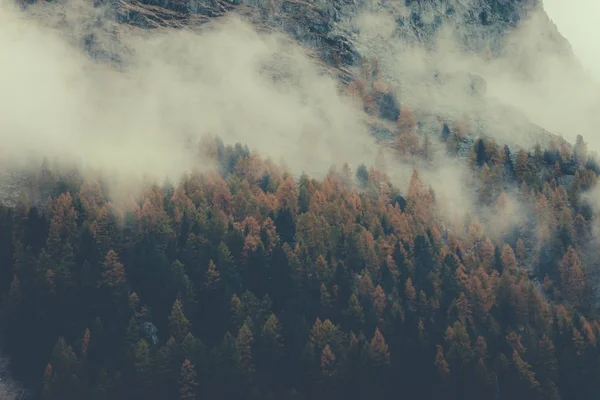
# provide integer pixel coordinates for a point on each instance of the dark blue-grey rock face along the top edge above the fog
(323, 25)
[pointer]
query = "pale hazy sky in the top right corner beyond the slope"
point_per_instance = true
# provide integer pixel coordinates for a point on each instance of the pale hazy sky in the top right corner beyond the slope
(578, 21)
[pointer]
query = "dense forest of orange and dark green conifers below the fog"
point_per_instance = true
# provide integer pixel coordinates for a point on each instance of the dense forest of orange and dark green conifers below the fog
(246, 282)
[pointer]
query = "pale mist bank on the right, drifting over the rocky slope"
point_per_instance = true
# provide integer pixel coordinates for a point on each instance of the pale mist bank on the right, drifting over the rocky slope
(533, 77)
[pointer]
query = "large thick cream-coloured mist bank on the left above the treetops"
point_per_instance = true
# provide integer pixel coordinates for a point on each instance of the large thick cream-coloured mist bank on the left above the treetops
(175, 87)
